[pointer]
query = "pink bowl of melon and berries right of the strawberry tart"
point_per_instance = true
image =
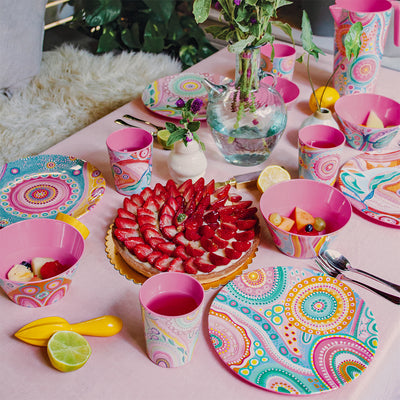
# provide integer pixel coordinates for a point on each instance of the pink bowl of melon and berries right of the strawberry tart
(304, 216)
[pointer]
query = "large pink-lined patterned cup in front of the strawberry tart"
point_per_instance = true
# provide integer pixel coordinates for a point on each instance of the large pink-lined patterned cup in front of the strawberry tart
(172, 304)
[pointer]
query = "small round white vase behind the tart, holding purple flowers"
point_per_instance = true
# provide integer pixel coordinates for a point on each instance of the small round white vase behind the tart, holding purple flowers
(187, 162)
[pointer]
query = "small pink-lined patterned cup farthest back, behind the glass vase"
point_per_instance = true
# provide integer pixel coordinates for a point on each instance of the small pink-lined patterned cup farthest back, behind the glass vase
(283, 62)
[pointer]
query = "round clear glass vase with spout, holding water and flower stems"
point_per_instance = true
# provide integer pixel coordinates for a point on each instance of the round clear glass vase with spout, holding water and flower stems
(247, 117)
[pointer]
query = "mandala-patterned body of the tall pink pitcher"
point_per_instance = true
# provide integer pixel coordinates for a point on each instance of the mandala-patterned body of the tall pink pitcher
(359, 75)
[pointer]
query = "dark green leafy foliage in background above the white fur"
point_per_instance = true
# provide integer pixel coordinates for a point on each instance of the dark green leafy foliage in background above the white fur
(152, 26)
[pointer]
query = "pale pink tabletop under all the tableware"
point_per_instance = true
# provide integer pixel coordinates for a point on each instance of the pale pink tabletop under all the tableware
(119, 367)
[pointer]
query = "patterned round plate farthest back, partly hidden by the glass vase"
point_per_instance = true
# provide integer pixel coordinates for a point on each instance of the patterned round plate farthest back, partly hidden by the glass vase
(163, 93)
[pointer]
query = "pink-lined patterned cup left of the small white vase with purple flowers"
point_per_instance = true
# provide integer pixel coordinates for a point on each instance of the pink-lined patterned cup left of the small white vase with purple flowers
(130, 151)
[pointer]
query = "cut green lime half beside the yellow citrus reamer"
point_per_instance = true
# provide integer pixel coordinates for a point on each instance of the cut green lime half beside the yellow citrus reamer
(68, 350)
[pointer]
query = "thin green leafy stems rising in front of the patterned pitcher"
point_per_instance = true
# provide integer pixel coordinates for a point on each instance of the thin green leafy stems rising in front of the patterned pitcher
(352, 44)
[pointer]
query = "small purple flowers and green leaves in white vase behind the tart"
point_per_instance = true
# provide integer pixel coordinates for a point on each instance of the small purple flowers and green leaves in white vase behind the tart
(187, 132)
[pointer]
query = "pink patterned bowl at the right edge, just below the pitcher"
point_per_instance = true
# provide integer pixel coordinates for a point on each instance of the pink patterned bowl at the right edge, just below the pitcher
(353, 110)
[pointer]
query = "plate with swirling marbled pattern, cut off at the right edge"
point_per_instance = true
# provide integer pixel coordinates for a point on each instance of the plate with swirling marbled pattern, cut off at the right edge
(371, 182)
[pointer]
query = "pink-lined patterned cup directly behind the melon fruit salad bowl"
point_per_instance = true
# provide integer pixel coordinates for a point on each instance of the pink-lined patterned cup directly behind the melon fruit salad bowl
(320, 149)
